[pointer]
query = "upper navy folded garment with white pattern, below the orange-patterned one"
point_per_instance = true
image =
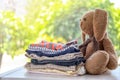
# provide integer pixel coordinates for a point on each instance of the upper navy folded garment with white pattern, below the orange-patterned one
(52, 53)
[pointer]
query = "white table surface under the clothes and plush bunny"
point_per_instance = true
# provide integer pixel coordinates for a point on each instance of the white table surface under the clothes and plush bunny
(22, 74)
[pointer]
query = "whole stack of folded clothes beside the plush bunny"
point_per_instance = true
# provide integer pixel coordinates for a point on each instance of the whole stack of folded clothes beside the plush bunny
(55, 57)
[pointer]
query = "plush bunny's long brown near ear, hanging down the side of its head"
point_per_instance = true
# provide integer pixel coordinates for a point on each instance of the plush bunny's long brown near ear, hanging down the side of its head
(99, 24)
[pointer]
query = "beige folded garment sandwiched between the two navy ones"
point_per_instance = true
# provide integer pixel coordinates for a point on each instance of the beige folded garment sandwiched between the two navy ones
(61, 57)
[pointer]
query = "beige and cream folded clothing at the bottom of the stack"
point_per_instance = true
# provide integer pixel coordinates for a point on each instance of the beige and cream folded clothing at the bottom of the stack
(79, 70)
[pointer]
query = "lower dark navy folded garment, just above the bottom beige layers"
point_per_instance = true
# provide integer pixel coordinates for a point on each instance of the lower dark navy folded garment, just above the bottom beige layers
(71, 62)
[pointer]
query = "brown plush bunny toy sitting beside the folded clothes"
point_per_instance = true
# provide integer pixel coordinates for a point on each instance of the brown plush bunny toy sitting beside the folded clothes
(99, 53)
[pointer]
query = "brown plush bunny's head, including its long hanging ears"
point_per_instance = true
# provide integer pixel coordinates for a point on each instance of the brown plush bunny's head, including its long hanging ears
(94, 24)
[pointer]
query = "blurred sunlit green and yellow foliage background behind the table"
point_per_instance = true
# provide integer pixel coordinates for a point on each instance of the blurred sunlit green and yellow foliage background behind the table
(28, 21)
